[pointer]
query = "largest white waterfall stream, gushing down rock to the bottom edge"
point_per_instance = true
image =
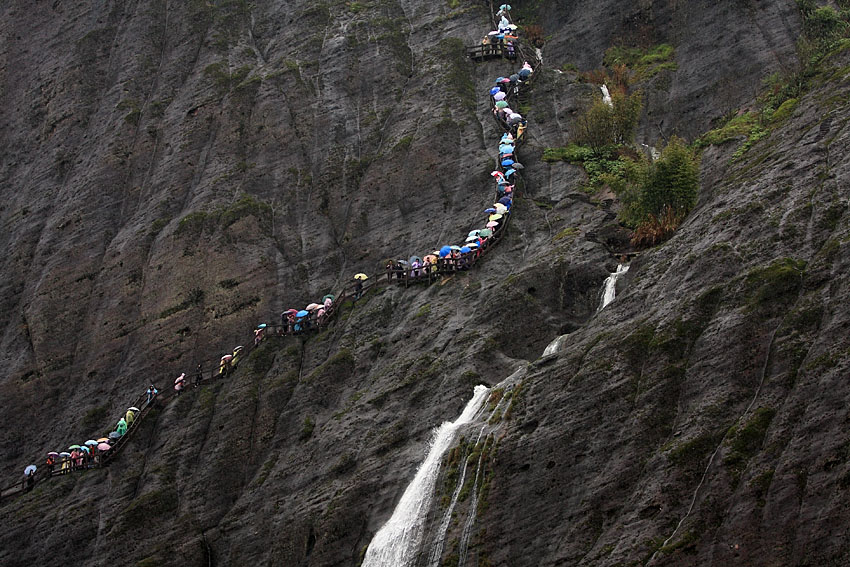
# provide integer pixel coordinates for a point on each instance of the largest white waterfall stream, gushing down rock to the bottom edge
(397, 543)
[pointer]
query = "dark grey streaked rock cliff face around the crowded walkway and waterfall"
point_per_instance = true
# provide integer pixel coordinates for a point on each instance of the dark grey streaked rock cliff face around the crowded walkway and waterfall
(174, 174)
